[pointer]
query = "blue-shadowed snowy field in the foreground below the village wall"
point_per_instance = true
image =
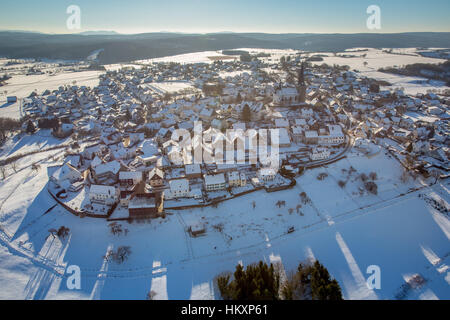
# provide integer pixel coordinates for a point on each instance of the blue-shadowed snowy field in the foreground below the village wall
(395, 230)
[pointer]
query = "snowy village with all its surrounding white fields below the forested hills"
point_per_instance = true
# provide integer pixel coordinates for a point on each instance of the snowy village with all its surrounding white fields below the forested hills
(158, 178)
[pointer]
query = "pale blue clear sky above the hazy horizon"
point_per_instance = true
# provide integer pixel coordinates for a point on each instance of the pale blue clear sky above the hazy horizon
(282, 16)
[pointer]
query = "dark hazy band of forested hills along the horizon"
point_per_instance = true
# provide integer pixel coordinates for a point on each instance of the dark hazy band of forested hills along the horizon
(122, 48)
